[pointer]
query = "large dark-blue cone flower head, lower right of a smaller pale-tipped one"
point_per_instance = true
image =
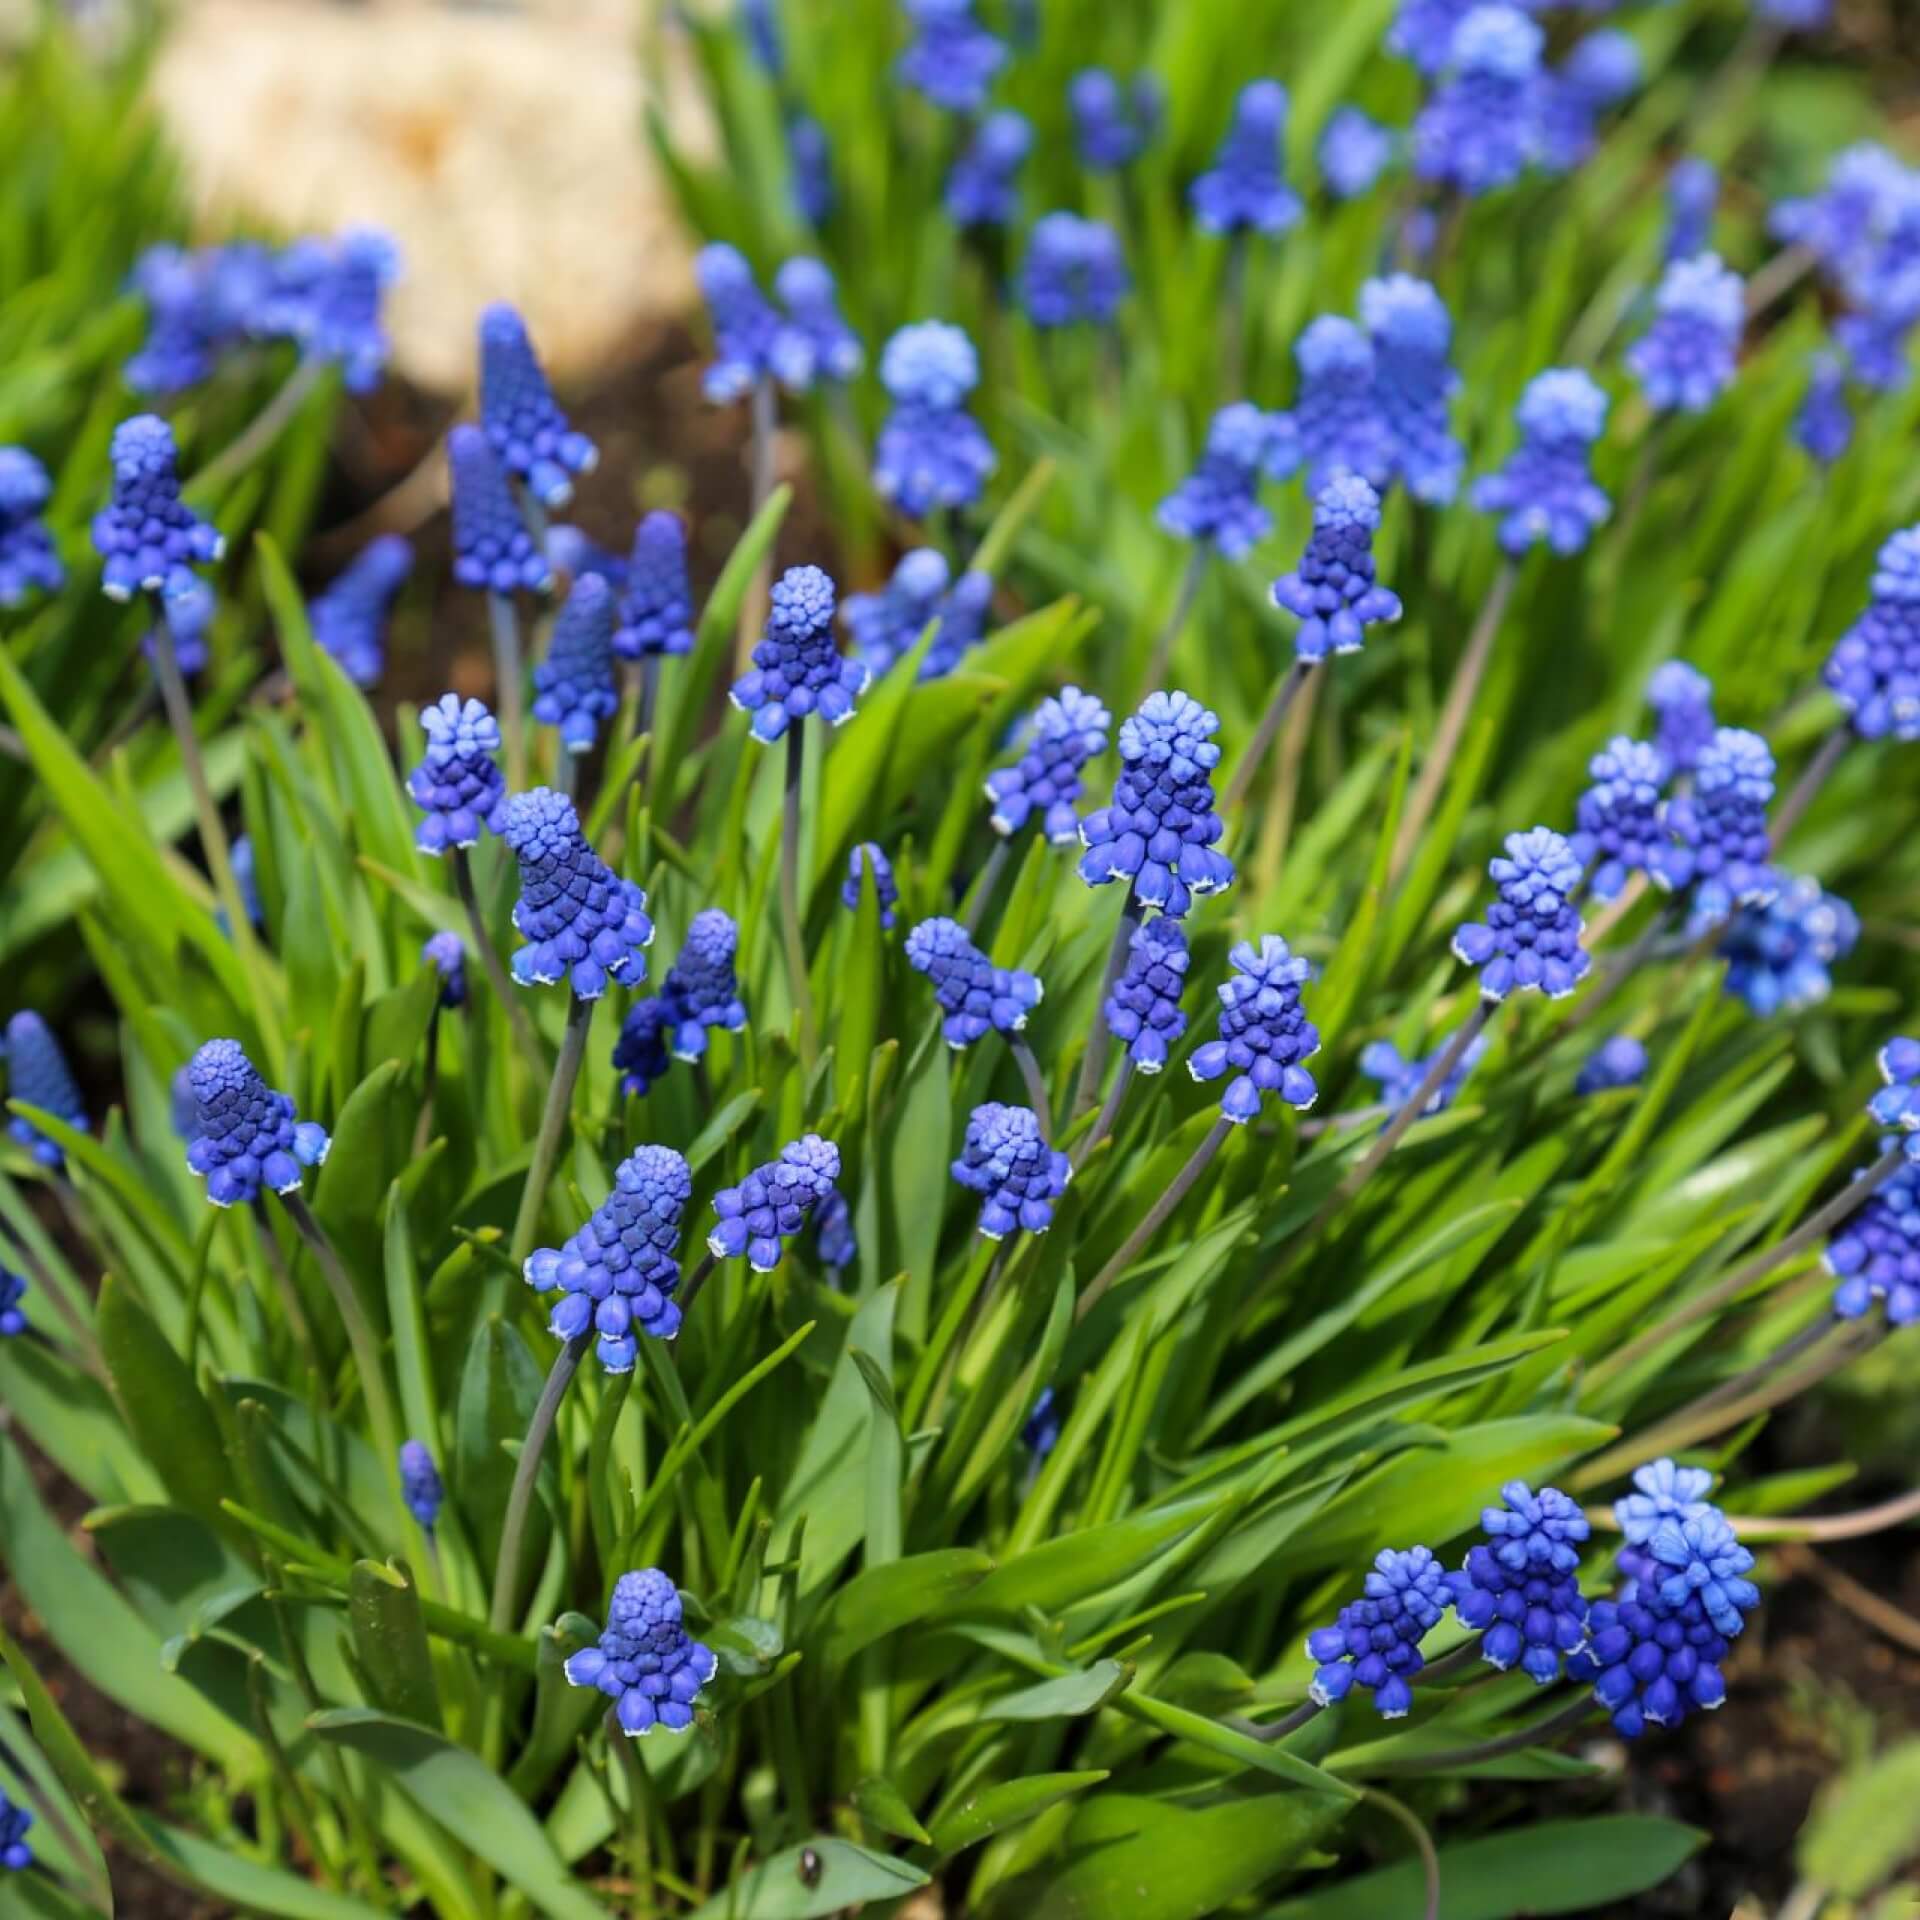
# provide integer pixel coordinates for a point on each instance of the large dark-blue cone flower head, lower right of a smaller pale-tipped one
(581, 921)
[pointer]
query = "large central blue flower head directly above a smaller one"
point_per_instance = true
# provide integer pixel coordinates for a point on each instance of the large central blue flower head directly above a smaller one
(1161, 832)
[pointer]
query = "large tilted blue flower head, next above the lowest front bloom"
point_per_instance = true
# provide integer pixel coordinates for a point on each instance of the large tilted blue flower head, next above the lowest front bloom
(617, 1274)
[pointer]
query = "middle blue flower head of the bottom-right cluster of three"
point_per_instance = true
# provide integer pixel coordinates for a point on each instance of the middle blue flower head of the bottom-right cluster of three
(1522, 1589)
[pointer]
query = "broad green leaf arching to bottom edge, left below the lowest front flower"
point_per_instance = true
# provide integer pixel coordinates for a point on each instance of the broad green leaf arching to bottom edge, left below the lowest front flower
(469, 1800)
